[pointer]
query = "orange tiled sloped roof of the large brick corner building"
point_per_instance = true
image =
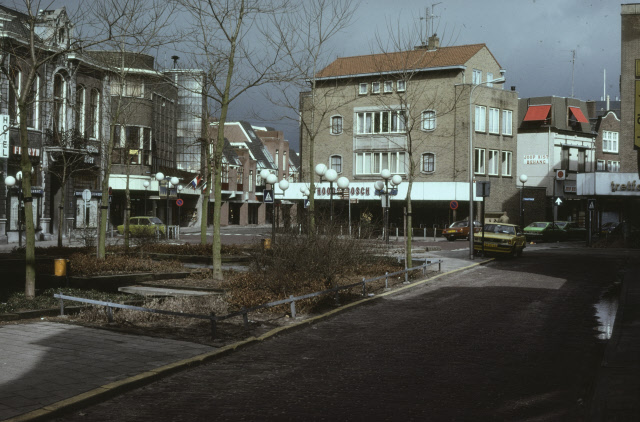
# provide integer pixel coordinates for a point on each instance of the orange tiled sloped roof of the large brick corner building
(401, 61)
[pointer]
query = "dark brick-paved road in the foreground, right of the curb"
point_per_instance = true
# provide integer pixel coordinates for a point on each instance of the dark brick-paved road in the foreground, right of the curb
(514, 340)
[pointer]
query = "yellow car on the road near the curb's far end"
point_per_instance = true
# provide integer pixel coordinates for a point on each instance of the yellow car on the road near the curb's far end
(501, 239)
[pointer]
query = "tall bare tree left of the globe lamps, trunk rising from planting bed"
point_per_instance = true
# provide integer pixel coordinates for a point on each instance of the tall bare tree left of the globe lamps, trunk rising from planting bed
(222, 33)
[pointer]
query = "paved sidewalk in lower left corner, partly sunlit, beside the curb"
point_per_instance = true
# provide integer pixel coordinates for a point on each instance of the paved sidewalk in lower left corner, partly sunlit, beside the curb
(45, 362)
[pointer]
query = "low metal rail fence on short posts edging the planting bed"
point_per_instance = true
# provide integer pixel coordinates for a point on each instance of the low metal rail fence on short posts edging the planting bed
(213, 318)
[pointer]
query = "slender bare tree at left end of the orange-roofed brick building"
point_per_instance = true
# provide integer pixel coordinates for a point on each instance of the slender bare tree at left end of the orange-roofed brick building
(306, 34)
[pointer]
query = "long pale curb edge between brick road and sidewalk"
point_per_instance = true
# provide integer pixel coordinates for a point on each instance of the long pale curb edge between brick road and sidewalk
(107, 391)
